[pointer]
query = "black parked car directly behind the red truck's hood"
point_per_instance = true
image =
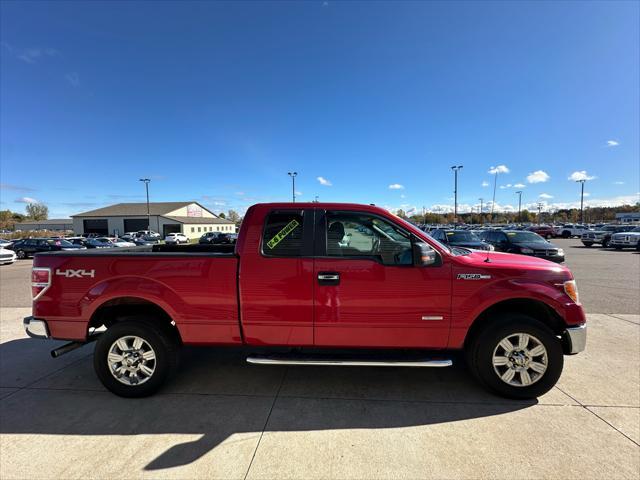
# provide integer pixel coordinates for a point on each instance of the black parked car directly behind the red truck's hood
(525, 243)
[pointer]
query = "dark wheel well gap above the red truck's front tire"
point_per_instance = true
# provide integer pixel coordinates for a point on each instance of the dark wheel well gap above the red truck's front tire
(534, 308)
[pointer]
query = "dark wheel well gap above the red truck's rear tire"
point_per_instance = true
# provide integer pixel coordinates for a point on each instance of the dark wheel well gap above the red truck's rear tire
(120, 309)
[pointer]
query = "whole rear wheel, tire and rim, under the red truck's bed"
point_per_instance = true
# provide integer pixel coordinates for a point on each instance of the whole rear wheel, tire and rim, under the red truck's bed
(134, 358)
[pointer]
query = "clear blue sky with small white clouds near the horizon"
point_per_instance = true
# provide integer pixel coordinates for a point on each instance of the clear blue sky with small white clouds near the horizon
(216, 102)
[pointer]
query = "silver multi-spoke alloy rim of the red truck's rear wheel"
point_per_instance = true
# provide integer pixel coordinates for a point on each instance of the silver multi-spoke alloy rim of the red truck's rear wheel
(131, 360)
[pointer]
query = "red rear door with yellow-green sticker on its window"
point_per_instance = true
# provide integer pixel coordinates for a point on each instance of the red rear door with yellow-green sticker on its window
(276, 279)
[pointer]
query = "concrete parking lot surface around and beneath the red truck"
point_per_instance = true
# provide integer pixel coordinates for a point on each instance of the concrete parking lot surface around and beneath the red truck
(222, 418)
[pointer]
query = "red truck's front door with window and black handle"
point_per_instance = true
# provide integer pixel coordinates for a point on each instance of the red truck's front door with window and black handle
(368, 292)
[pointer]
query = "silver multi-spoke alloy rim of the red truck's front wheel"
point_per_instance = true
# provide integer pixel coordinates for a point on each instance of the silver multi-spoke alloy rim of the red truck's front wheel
(520, 360)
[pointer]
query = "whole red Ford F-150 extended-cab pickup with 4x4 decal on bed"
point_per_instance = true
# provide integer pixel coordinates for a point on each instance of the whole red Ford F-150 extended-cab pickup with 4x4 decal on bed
(313, 284)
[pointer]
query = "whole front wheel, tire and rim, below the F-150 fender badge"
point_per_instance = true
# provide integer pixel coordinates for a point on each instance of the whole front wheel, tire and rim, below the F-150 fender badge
(516, 356)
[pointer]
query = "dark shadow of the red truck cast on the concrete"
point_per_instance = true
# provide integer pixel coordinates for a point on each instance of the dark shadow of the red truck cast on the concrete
(219, 397)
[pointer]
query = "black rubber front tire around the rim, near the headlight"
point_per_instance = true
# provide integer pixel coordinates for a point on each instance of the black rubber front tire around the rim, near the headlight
(481, 350)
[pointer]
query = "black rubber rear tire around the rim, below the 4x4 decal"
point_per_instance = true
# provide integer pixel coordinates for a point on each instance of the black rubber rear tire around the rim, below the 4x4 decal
(166, 351)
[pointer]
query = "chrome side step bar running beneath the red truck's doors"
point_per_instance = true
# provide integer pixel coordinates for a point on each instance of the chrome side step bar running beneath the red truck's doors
(333, 362)
